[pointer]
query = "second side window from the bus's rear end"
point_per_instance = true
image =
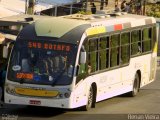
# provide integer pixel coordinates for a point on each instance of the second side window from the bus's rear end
(136, 46)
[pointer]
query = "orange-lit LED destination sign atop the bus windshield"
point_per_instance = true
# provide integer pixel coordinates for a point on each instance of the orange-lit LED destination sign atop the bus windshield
(49, 46)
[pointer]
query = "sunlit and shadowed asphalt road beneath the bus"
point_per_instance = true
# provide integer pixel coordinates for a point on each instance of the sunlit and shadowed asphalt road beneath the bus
(145, 106)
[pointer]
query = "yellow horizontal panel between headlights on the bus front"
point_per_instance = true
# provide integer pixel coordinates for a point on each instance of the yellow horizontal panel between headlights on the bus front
(38, 93)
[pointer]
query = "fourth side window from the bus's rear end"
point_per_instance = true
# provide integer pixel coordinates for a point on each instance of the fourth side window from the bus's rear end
(114, 52)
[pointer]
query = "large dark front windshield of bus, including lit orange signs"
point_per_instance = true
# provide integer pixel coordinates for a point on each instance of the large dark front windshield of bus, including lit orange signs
(48, 63)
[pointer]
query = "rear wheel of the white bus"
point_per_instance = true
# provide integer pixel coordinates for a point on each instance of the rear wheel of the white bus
(136, 84)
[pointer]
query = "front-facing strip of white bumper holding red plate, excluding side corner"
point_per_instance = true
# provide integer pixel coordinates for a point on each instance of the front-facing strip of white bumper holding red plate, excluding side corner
(48, 102)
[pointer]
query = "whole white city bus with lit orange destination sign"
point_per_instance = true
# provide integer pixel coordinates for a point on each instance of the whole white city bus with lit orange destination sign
(78, 60)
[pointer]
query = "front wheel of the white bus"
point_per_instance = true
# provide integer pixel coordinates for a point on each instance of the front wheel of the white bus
(90, 102)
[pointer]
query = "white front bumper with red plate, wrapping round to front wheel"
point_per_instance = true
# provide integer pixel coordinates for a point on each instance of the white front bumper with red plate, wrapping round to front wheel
(68, 103)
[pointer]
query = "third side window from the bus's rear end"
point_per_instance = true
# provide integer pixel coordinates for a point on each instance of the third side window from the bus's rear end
(125, 47)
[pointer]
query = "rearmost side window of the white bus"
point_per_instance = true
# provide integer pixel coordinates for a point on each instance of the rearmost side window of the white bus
(146, 41)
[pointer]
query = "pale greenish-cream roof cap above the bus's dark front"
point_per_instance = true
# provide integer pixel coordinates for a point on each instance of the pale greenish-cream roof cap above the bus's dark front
(56, 27)
